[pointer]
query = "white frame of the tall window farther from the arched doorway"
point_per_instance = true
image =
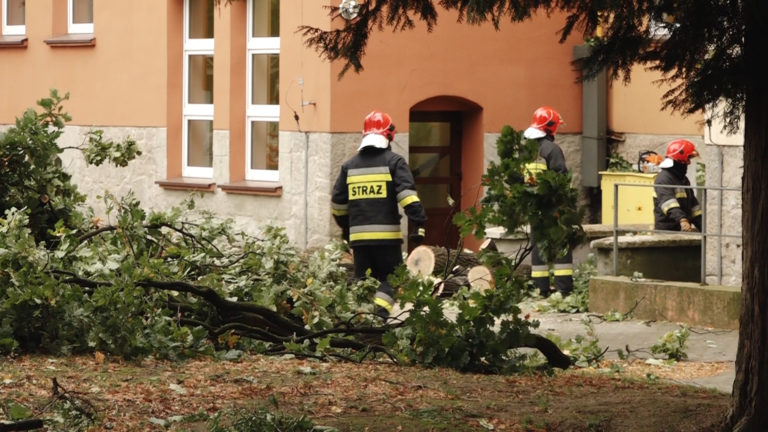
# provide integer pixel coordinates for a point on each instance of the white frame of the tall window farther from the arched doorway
(193, 47)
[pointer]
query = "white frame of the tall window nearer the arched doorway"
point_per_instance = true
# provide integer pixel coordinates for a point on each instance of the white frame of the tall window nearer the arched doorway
(258, 112)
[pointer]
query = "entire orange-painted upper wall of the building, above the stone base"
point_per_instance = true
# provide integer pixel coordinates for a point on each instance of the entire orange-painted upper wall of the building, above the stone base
(123, 80)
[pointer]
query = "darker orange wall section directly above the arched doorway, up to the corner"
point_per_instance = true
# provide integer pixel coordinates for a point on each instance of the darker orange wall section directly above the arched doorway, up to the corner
(508, 73)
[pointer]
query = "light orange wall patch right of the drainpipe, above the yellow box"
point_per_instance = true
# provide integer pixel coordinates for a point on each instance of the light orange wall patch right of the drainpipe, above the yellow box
(637, 108)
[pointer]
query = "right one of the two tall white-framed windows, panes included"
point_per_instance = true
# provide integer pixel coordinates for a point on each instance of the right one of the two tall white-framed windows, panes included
(263, 99)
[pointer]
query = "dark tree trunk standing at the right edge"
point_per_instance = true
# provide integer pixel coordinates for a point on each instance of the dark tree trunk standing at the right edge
(750, 388)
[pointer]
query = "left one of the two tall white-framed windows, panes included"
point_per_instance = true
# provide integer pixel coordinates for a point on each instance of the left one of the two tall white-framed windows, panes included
(197, 127)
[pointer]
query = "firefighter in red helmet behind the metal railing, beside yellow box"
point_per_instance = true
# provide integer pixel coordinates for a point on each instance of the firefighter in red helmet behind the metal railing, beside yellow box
(676, 209)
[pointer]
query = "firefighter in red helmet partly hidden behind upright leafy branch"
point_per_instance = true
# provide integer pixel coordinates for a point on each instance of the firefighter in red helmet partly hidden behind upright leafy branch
(542, 129)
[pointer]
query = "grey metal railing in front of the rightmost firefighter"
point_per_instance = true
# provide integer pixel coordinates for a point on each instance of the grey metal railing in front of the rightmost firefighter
(704, 234)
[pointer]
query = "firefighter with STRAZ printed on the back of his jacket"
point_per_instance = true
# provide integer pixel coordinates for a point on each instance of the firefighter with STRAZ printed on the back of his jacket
(365, 202)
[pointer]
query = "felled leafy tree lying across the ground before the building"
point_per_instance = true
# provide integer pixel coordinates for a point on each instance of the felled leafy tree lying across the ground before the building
(181, 283)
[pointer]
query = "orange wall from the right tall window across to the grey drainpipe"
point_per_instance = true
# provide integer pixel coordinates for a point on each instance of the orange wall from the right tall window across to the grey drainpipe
(508, 72)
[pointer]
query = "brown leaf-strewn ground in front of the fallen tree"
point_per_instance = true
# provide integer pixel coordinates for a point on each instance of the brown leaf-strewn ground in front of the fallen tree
(185, 396)
